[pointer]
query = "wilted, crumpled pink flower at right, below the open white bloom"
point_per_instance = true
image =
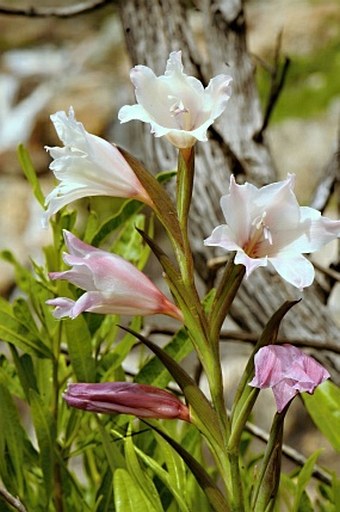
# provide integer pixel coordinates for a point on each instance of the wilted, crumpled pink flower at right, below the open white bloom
(288, 371)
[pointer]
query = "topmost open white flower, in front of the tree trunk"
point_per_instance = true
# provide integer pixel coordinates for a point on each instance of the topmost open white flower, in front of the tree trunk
(176, 105)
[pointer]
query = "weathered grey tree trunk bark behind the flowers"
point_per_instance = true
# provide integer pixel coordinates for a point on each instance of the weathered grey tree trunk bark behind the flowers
(152, 31)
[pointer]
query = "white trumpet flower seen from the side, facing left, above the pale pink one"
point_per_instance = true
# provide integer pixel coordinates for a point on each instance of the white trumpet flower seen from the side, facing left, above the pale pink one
(86, 166)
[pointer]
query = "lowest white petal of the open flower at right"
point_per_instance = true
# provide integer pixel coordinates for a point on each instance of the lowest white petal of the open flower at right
(296, 270)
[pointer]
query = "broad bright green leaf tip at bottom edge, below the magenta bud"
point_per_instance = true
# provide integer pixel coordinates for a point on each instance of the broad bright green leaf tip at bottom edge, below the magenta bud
(128, 496)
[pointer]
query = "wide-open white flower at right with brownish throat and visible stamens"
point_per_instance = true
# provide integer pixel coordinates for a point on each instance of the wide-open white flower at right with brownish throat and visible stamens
(268, 225)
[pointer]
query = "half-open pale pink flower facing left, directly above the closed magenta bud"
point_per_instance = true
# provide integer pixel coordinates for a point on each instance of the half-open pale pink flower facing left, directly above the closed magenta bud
(112, 284)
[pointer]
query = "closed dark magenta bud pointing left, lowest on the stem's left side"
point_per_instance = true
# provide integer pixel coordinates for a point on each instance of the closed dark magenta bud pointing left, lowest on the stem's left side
(140, 400)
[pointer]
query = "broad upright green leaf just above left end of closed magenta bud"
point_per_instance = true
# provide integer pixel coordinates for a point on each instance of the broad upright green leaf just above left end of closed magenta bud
(80, 349)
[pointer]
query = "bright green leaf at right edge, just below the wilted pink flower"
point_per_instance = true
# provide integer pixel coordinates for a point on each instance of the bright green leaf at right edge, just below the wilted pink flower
(324, 408)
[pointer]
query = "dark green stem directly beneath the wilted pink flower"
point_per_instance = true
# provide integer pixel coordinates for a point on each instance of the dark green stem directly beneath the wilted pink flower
(266, 487)
